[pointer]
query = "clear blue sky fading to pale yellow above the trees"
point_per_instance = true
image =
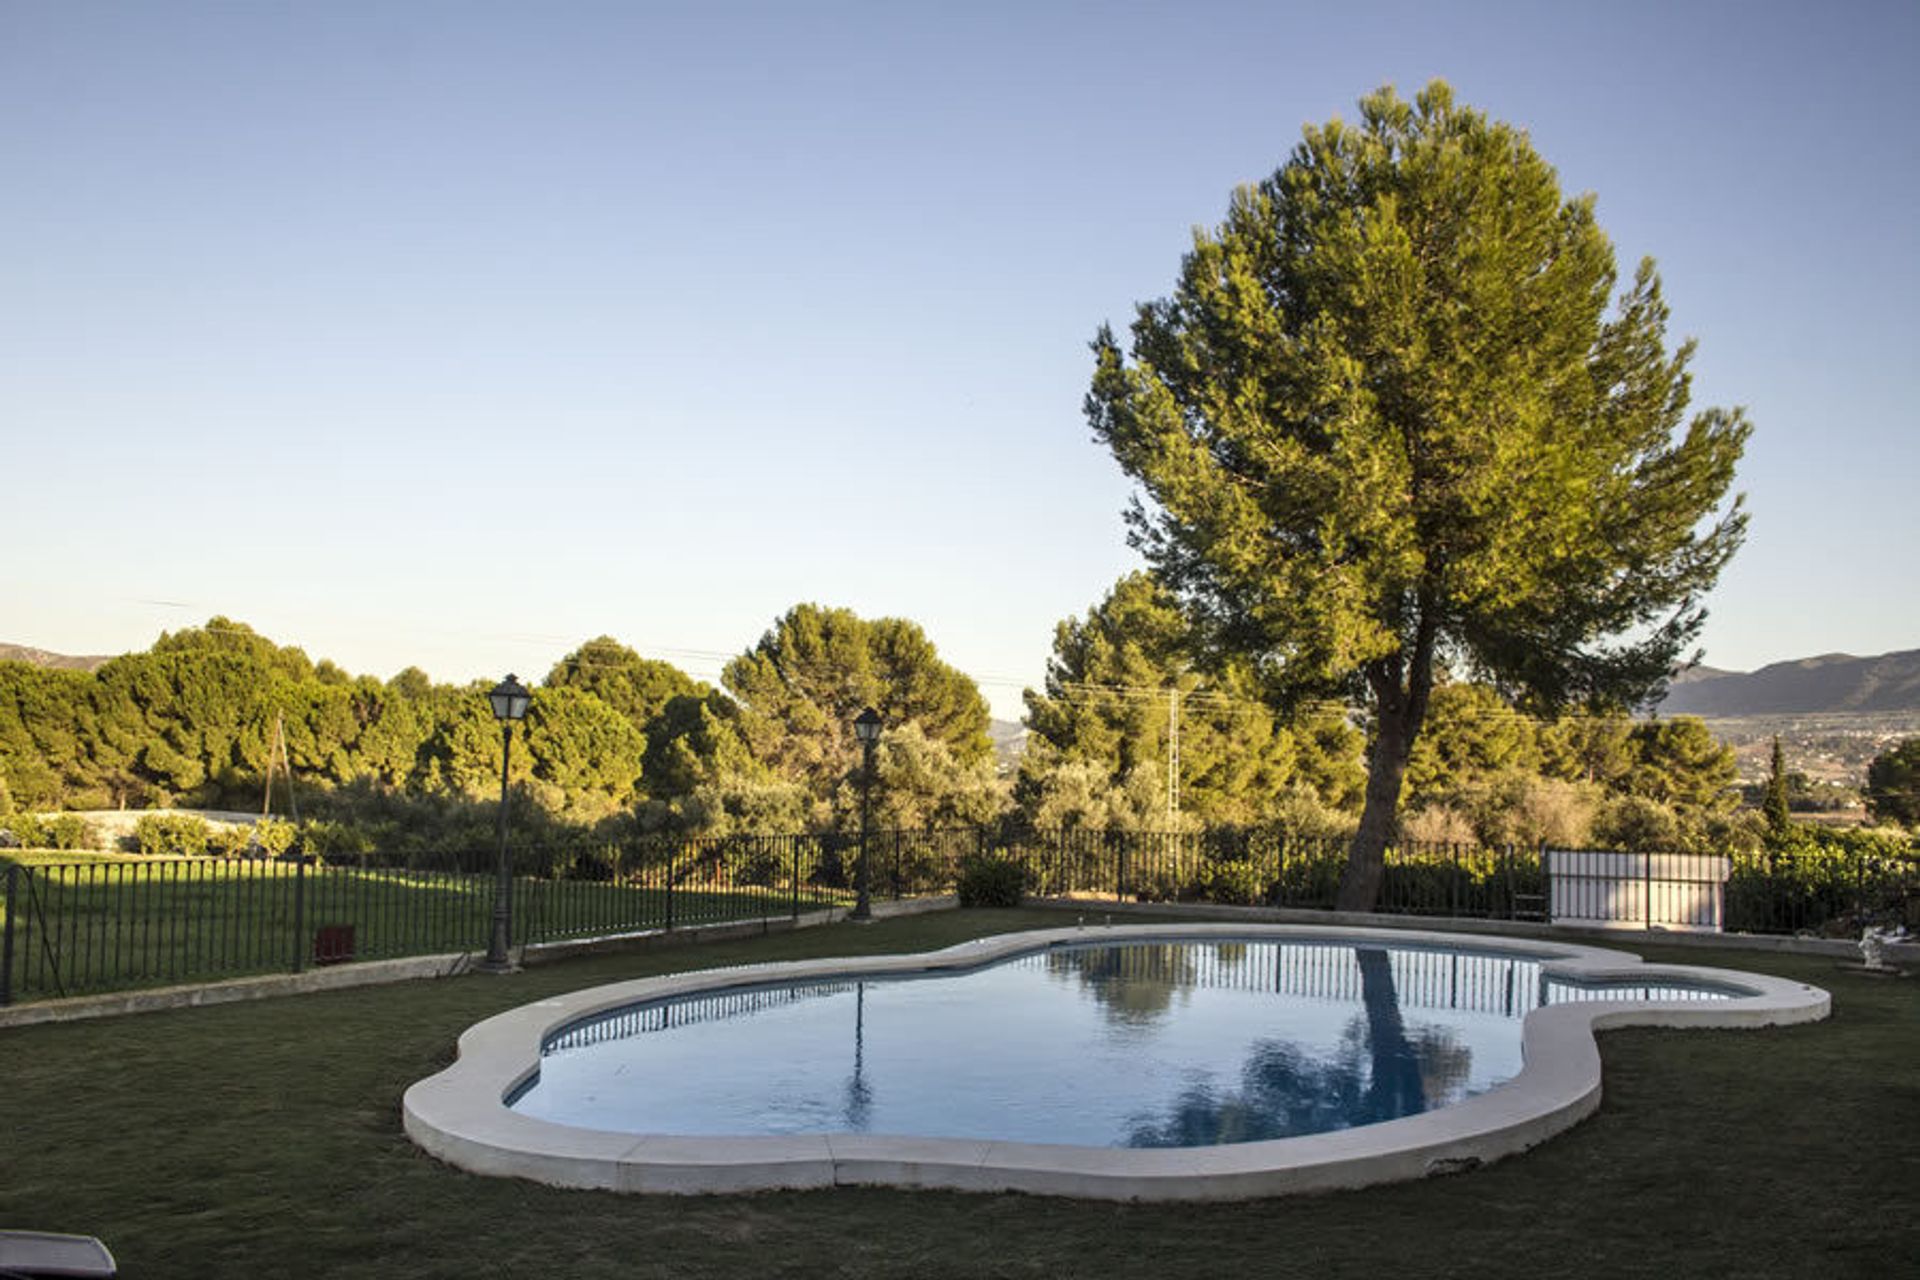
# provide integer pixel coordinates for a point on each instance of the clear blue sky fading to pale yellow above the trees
(460, 333)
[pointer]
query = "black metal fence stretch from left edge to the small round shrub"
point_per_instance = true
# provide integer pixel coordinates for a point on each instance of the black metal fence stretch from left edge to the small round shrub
(78, 928)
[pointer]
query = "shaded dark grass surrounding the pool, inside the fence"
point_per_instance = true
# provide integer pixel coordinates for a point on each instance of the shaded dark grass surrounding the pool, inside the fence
(266, 1139)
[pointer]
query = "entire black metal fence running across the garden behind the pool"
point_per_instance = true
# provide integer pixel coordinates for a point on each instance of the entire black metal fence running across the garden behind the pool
(74, 928)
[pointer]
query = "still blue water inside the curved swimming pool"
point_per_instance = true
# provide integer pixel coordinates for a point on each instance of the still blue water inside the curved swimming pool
(1143, 1045)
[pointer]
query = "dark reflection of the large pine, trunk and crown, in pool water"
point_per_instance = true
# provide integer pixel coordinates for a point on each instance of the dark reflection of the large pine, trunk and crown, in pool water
(1380, 1074)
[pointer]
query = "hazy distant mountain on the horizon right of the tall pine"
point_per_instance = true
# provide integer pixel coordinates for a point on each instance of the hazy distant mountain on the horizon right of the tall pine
(1831, 684)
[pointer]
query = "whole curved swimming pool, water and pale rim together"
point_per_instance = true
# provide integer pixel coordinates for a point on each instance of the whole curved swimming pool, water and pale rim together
(1164, 1064)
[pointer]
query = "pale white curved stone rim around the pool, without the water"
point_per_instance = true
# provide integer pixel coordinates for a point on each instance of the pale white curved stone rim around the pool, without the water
(460, 1114)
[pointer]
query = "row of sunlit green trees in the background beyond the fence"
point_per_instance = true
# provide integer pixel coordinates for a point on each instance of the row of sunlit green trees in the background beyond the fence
(619, 744)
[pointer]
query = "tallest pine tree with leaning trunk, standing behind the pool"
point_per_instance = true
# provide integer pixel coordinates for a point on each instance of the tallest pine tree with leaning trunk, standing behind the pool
(1385, 419)
